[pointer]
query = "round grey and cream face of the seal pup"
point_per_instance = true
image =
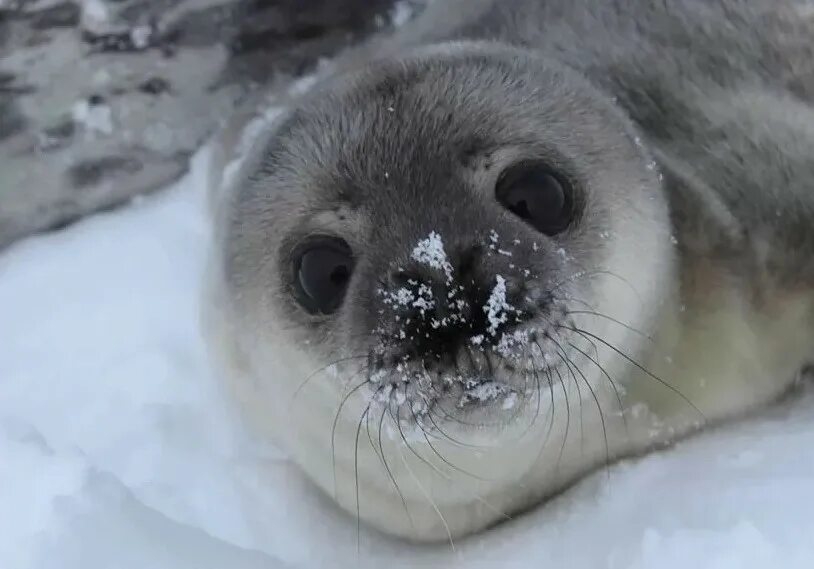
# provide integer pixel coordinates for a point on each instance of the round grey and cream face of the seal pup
(409, 281)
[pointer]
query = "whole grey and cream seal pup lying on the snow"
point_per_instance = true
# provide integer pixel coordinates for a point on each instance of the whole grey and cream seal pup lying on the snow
(518, 241)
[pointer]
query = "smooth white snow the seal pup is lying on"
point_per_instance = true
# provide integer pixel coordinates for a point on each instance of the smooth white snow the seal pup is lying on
(117, 448)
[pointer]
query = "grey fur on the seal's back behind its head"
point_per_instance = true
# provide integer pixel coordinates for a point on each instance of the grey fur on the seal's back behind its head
(722, 91)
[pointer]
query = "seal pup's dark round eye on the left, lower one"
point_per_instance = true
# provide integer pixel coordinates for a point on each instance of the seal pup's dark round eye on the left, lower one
(322, 270)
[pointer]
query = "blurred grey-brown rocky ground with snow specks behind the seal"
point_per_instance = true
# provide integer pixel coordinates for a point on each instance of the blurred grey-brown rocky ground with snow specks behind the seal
(102, 100)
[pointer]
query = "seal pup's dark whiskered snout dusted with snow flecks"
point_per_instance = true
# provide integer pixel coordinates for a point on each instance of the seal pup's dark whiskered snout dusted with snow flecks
(456, 324)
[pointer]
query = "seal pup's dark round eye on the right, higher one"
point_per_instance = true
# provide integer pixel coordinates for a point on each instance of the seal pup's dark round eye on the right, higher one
(536, 195)
